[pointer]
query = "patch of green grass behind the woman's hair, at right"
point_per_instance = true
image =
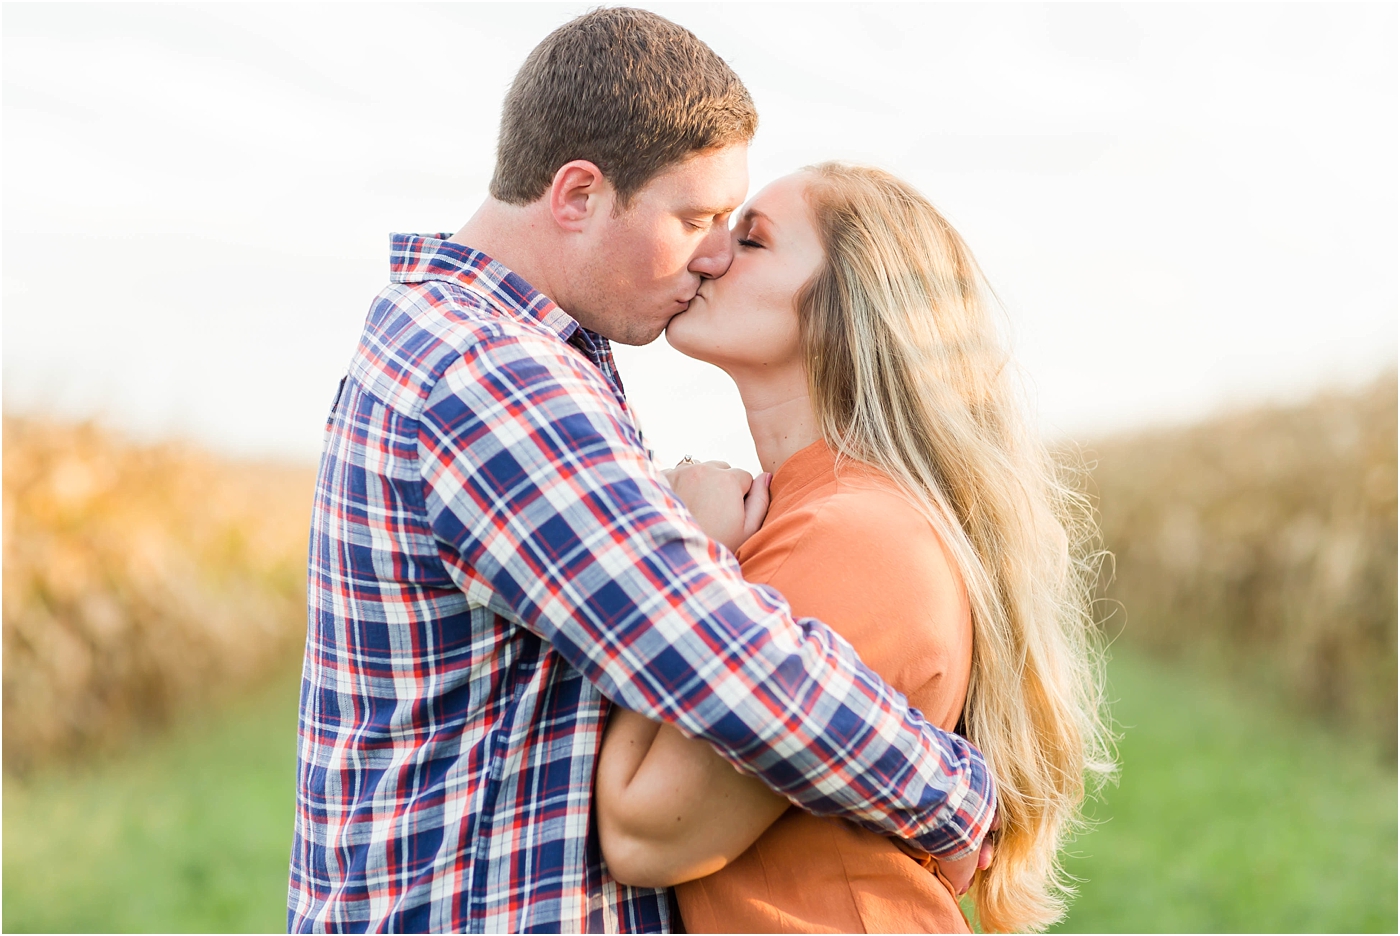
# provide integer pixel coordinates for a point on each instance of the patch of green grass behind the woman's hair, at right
(1231, 818)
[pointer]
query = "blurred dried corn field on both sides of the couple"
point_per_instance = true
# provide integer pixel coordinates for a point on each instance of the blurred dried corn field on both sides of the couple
(141, 580)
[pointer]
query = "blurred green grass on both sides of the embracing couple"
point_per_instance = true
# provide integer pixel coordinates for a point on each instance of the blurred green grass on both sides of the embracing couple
(1228, 818)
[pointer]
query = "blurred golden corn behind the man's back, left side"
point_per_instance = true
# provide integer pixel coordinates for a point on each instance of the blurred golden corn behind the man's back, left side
(138, 581)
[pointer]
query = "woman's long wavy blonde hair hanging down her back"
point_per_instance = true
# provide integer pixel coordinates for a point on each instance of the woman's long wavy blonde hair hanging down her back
(908, 373)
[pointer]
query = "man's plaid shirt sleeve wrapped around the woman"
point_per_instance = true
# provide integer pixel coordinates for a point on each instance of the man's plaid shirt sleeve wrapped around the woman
(548, 510)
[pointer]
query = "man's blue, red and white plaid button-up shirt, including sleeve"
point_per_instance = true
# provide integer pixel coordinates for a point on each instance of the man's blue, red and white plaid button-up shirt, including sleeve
(493, 558)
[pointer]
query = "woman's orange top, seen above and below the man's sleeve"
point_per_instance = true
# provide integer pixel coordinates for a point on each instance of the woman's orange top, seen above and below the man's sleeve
(853, 552)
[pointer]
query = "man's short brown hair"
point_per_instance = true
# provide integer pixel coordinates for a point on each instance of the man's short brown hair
(624, 89)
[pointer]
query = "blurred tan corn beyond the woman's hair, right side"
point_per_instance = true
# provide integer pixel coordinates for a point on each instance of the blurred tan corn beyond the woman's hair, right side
(1268, 542)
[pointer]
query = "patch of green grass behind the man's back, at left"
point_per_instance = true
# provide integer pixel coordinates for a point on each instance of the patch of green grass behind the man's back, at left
(187, 833)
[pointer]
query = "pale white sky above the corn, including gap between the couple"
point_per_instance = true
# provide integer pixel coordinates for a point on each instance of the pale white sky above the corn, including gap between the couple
(1184, 208)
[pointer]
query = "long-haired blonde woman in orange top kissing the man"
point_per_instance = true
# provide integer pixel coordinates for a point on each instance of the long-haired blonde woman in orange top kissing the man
(916, 514)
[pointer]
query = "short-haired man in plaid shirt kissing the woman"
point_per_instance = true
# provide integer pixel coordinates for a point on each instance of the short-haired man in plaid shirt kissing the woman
(495, 556)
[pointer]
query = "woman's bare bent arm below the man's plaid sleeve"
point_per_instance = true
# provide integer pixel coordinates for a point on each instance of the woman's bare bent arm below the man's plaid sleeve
(670, 809)
